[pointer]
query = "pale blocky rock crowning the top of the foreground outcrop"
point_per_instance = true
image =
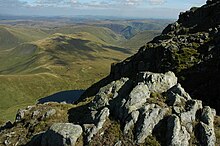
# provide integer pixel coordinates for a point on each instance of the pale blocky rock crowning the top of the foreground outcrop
(158, 82)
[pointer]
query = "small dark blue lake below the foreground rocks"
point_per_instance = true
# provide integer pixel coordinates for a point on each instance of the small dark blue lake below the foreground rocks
(65, 96)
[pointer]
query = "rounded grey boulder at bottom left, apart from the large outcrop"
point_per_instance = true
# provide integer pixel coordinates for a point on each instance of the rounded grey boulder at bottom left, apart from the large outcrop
(61, 134)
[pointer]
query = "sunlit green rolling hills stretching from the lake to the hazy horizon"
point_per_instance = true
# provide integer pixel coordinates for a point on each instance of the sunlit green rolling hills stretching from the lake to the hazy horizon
(40, 60)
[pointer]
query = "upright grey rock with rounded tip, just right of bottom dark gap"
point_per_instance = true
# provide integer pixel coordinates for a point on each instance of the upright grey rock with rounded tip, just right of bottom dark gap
(177, 135)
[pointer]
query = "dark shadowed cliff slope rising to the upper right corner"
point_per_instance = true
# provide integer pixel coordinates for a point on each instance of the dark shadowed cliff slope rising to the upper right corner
(189, 47)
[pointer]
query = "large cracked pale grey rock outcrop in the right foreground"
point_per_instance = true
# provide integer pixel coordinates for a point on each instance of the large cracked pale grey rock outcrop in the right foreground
(141, 116)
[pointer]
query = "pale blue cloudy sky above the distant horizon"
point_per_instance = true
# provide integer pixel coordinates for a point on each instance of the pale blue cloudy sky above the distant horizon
(119, 8)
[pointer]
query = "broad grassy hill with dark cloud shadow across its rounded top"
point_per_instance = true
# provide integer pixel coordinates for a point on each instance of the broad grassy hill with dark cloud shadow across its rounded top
(59, 62)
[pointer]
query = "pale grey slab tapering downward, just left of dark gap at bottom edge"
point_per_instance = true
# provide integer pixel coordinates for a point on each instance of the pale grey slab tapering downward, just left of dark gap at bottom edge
(148, 121)
